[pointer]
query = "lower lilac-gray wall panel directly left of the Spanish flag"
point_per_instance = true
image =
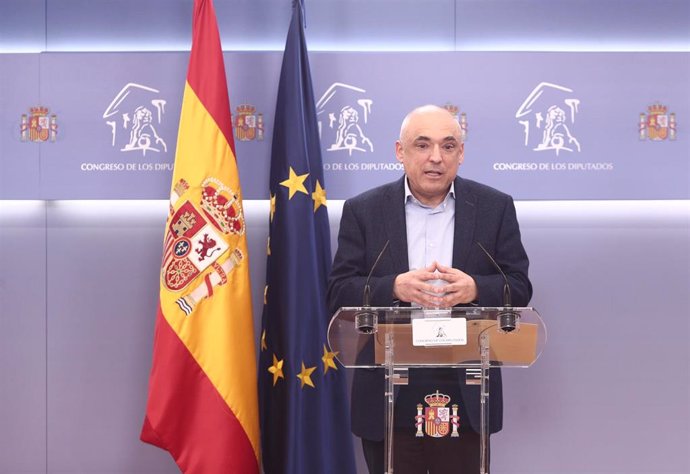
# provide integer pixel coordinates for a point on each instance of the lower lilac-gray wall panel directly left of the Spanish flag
(103, 261)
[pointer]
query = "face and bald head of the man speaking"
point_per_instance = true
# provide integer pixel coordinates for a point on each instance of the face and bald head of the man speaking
(431, 152)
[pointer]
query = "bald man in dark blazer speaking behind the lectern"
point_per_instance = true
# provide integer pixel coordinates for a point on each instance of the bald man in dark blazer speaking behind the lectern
(433, 221)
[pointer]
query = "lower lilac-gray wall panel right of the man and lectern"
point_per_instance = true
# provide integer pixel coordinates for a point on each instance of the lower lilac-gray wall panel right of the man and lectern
(611, 281)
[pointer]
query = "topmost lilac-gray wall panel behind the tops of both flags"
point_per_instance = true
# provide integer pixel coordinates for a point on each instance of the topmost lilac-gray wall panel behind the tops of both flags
(132, 25)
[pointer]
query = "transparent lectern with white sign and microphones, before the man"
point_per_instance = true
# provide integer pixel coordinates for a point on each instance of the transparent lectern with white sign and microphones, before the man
(397, 339)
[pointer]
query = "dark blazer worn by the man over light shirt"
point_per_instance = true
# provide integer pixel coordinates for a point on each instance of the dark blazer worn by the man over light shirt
(482, 214)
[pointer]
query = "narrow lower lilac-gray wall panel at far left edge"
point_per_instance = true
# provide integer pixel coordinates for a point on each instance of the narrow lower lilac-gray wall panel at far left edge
(22, 337)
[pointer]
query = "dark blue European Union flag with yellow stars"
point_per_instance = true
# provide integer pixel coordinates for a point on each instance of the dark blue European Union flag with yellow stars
(305, 424)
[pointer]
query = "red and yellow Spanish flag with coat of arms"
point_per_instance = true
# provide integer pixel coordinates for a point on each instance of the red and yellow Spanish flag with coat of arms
(202, 403)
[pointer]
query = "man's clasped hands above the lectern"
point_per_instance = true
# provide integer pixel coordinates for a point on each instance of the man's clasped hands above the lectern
(435, 286)
